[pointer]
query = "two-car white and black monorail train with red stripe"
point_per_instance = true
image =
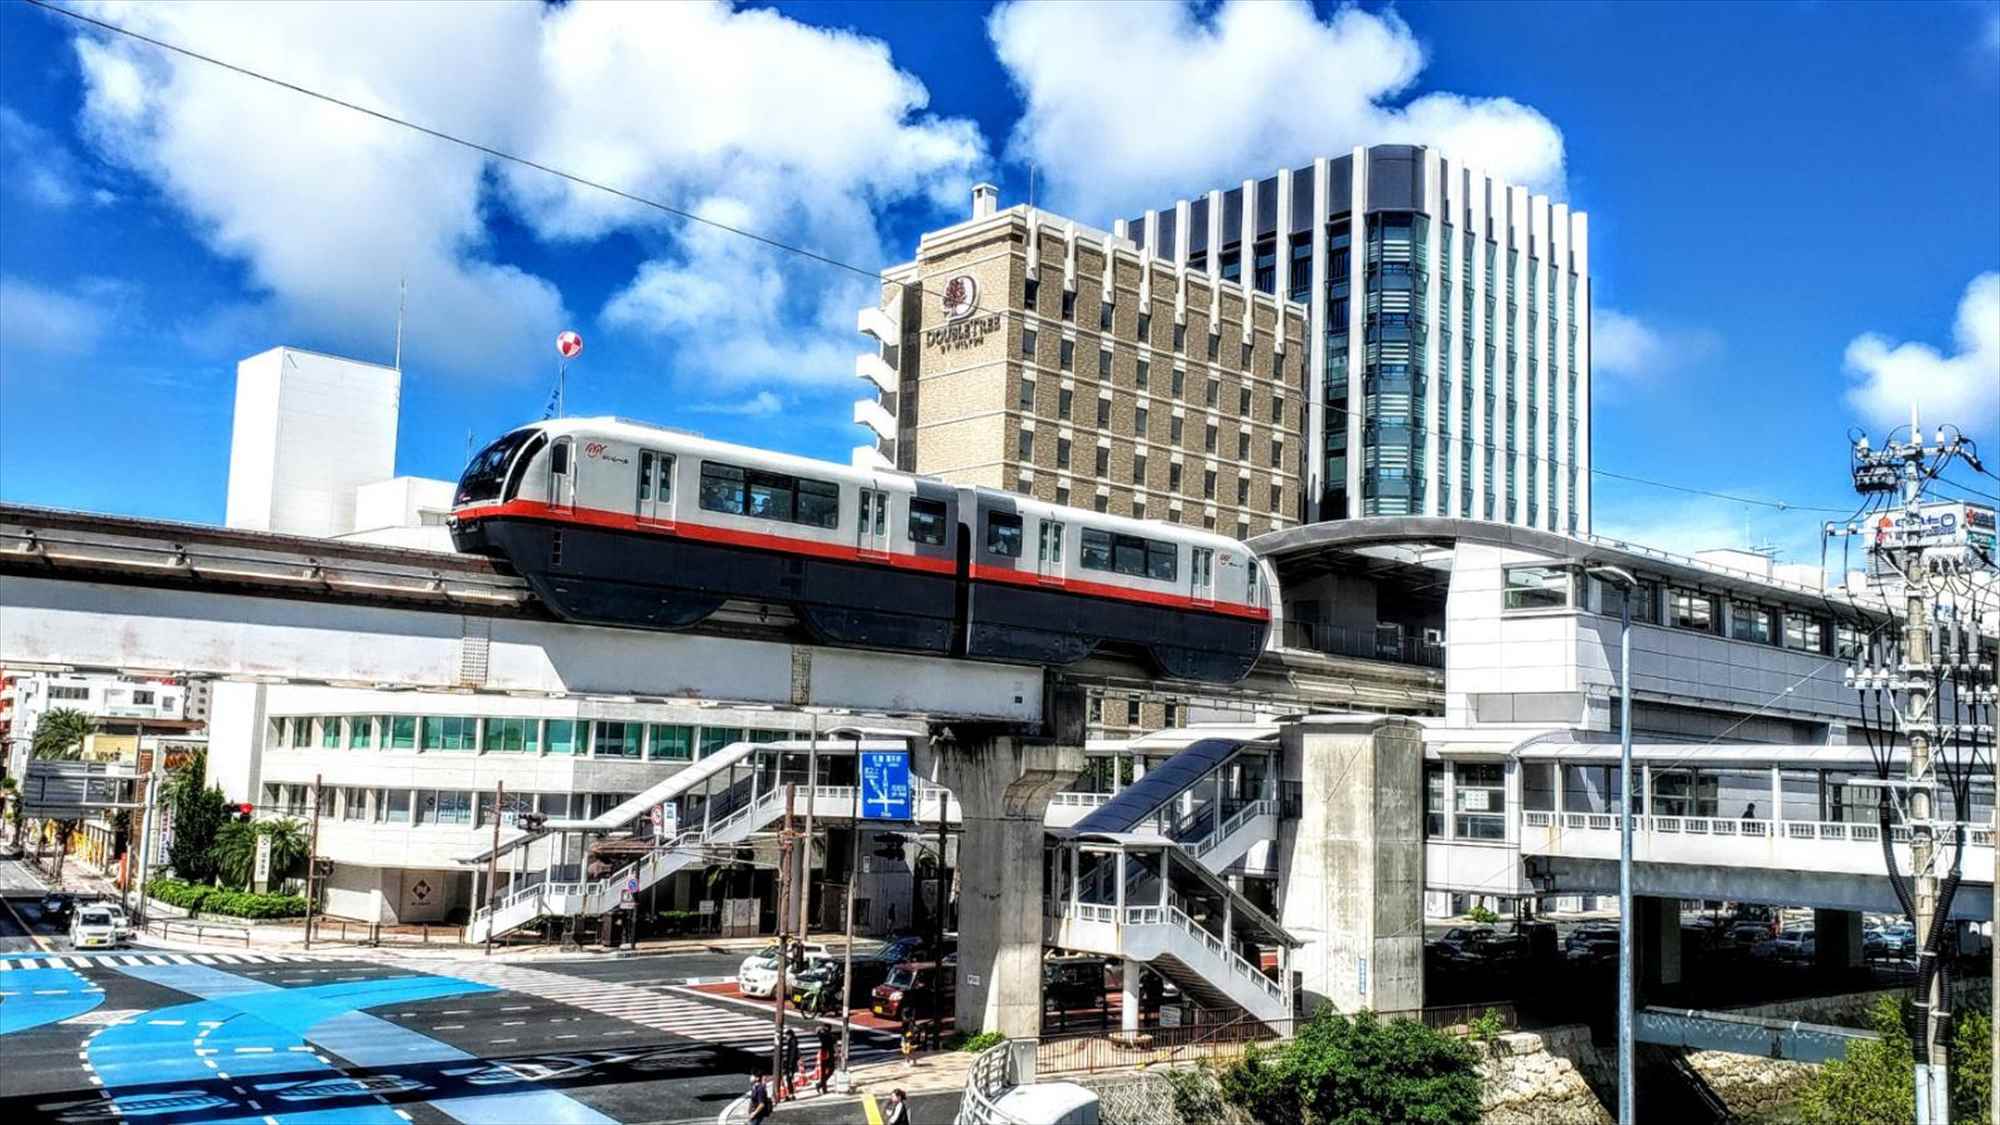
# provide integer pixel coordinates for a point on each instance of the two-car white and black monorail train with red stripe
(623, 523)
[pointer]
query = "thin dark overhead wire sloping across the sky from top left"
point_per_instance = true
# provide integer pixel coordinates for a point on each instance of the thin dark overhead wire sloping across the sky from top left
(745, 233)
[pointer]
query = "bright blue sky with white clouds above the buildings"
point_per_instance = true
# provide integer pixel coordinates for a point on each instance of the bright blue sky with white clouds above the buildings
(1793, 209)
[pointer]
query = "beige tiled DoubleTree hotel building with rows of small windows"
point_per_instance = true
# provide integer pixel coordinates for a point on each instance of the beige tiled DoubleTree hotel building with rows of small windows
(1197, 419)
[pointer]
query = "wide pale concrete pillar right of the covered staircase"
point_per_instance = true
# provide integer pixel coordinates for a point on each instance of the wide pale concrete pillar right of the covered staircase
(1353, 864)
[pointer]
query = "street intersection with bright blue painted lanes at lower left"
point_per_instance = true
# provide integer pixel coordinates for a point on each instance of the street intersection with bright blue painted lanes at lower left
(273, 1038)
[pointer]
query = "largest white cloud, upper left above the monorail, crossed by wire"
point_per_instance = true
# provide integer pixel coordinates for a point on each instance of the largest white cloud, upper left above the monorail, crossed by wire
(329, 209)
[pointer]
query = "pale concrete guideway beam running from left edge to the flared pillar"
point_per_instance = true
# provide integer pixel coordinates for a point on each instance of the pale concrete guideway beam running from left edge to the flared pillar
(115, 628)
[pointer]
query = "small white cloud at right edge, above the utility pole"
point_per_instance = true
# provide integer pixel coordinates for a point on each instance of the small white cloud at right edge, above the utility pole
(1961, 387)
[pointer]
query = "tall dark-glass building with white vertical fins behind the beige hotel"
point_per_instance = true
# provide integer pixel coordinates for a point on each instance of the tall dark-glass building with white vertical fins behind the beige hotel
(1451, 329)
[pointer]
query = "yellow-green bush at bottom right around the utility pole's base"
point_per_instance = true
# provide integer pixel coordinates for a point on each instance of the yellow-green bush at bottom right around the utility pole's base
(1877, 1082)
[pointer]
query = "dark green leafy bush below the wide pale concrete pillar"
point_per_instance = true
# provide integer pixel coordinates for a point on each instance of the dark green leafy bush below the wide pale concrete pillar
(1359, 1072)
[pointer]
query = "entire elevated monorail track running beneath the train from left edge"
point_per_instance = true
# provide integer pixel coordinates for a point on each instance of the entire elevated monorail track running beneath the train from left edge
(139, 596)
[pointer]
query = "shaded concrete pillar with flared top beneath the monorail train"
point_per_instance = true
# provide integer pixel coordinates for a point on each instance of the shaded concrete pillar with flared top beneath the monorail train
(1005, 786)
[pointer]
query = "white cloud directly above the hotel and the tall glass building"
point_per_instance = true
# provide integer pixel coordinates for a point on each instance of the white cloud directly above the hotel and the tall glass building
(1137, 105)
